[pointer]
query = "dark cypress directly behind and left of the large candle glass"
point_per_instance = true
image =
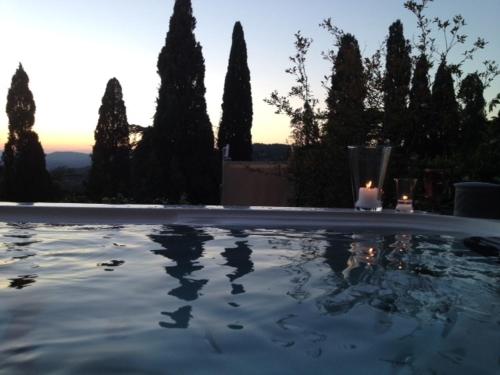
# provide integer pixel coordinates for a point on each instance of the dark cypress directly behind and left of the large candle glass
(346, 123)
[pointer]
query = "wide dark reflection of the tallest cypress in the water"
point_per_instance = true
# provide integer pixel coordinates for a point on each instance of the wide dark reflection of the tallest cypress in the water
(184, 246)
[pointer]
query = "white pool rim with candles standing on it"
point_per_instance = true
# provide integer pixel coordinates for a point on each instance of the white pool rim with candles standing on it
(265, 217)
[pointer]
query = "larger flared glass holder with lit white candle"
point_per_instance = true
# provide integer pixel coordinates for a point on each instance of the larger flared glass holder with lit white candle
(368, 168)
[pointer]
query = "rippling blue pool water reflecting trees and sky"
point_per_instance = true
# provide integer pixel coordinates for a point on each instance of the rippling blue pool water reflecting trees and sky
(212, 300)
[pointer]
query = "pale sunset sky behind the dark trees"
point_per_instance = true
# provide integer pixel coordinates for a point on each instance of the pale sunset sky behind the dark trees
(70, 49)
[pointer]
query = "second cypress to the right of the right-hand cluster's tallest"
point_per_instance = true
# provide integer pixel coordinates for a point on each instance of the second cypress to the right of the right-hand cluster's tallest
(446, 118)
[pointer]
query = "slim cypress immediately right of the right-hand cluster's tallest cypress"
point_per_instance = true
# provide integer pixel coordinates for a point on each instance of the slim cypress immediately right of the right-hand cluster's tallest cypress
(418, 142)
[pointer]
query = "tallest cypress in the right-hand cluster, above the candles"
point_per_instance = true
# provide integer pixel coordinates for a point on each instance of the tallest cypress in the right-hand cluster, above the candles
(396, 85)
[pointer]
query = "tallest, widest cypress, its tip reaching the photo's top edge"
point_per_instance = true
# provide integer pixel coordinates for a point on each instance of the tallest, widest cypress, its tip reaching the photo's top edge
(183, 140)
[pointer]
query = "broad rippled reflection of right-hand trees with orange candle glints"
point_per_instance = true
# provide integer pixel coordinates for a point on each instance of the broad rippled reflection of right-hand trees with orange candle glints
(401, 274)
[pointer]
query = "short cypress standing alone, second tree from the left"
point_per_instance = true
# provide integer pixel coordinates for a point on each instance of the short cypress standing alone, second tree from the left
(110, 170)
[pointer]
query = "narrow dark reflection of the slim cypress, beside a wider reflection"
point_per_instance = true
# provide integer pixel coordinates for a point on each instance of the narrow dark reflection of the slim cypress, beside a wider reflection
(238, 257)
